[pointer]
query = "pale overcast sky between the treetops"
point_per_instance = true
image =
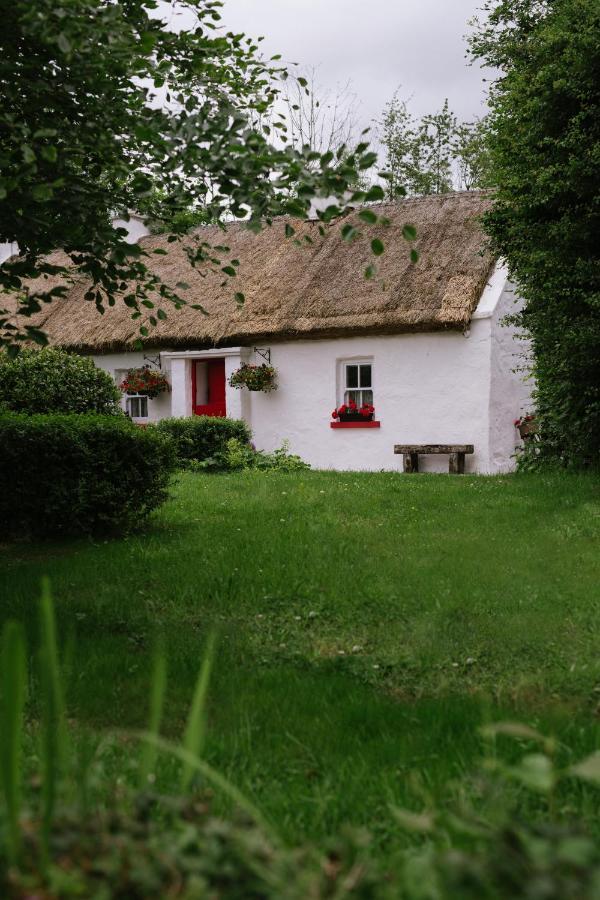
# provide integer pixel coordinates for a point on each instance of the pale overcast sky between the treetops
(415, 45)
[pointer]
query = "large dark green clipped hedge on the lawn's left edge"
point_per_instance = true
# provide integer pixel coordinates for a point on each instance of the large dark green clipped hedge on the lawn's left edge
(68, 474)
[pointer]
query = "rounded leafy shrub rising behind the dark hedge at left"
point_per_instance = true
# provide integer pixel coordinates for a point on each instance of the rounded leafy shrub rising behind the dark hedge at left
(51, 380)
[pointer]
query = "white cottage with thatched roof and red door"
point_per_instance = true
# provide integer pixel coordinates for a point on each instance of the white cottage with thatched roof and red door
(424, 343)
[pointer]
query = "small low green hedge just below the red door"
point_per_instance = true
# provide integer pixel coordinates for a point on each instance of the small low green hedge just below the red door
(203, 437)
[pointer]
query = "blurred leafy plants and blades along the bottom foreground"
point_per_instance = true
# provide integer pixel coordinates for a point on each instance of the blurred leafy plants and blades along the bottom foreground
(134, 843)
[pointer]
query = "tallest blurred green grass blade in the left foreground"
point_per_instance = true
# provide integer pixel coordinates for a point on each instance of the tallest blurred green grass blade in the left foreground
(53, 736)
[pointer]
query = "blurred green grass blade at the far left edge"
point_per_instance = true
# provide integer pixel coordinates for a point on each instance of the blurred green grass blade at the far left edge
(14, 682)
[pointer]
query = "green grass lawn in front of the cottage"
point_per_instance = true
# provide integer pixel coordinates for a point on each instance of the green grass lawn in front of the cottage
(367, 624)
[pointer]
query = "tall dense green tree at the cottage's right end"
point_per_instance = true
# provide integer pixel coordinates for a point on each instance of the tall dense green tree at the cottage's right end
(545, 220)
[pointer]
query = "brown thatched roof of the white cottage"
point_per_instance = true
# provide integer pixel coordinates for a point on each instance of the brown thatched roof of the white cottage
(314, 291)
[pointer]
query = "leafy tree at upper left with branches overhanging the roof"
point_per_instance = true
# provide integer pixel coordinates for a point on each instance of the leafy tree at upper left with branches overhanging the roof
(102, 105)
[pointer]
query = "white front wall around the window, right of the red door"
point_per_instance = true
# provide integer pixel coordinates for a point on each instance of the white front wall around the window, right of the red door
(428, 388)
